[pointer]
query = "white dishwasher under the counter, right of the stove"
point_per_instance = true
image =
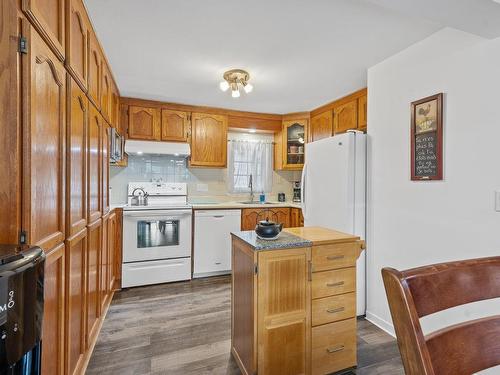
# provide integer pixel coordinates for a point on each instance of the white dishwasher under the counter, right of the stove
(212, 241)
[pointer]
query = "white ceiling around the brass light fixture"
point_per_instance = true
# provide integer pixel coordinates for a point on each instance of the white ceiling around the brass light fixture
(300, 54)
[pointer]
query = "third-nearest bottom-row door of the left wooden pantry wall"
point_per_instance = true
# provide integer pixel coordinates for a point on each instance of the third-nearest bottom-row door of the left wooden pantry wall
(93, 274)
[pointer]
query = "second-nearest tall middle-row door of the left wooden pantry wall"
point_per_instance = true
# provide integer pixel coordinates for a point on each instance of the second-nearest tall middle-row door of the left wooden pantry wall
(76, 179)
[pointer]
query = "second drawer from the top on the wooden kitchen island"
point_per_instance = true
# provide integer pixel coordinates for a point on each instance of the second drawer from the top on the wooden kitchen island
(330, 283)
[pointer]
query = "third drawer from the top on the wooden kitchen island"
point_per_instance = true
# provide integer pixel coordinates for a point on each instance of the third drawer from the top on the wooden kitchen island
(332, 309)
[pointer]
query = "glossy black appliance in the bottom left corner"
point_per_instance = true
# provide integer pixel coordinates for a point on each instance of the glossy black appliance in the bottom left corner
(21, 309)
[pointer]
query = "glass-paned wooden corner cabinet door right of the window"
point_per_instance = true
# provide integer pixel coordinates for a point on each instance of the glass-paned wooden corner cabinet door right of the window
(294, 132)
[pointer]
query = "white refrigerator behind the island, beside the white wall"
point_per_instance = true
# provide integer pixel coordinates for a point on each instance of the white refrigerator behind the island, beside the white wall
(334, 192)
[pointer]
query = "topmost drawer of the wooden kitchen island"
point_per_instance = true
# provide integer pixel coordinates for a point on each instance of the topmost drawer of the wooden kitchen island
(329, 257)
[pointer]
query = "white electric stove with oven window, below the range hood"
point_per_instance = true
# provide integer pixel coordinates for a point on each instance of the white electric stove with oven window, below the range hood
(157, 236)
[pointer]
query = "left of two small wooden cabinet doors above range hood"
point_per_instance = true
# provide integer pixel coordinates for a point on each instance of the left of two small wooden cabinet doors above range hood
(143, 123)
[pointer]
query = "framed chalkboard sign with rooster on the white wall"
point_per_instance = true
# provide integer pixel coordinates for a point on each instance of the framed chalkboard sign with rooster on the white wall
(427, 138)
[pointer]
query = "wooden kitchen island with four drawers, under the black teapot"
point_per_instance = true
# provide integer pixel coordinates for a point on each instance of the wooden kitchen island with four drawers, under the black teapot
(294, 301)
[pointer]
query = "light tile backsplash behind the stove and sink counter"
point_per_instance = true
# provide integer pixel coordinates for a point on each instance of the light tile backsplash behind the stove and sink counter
(203, 183)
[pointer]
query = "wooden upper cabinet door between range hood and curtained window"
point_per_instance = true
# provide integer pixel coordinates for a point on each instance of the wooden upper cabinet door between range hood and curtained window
(208, 140)
